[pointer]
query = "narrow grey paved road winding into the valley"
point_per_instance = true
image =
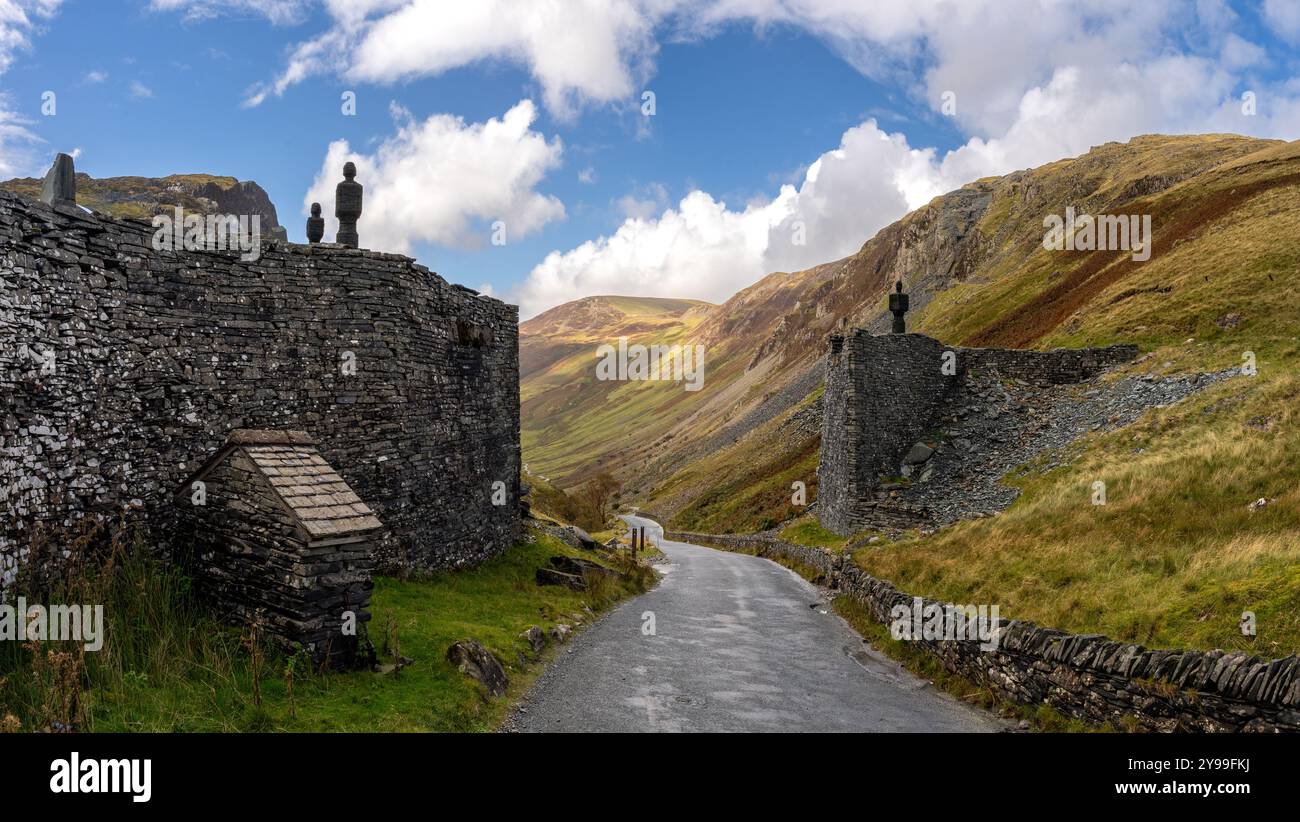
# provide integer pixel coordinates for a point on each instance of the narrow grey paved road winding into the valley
(736, 648)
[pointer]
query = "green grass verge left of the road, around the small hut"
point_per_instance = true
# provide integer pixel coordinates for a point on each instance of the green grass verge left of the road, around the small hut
(167, 667)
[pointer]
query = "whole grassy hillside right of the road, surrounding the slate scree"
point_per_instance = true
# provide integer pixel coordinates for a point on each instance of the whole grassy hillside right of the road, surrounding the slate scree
(1177, 555)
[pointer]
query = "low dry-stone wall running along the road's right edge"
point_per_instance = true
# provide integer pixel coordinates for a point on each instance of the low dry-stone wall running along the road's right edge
(1084, 676)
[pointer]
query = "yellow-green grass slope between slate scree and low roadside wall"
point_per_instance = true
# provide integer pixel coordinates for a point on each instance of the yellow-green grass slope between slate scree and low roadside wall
(1175, 556)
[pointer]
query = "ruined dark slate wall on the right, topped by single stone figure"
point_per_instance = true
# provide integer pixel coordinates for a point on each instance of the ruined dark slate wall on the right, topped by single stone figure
(885, 392)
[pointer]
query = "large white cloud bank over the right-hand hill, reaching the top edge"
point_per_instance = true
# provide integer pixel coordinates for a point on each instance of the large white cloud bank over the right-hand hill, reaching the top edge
(1032, 88)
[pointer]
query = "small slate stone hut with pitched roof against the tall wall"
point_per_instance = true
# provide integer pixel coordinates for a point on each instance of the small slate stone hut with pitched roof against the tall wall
(278, 538)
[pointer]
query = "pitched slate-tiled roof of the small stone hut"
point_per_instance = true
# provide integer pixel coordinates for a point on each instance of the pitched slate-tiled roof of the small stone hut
(322, 501)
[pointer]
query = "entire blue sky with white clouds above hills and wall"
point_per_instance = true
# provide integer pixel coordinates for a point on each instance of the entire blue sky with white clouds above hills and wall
(786, 132)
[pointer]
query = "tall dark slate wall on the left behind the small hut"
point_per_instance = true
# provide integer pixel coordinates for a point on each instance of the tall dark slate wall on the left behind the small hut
(157, 356)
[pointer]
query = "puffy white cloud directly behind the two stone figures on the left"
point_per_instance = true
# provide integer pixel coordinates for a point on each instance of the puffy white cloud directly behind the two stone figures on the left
(432, 181)
